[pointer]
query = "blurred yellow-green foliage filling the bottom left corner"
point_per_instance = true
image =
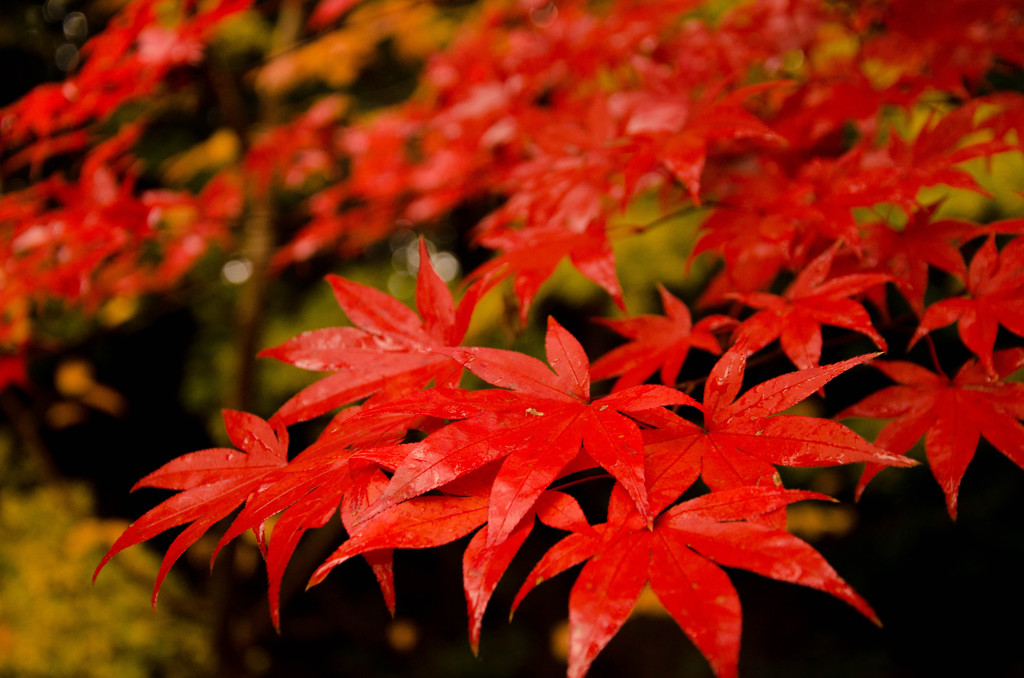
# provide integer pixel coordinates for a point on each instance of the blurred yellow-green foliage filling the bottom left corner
(53, 623)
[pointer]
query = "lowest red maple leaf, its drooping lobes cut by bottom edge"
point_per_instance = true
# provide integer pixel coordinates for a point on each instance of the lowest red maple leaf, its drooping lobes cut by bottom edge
(680, 557)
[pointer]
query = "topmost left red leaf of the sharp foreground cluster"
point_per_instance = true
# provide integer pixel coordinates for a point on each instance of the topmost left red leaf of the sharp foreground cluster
(390, 353)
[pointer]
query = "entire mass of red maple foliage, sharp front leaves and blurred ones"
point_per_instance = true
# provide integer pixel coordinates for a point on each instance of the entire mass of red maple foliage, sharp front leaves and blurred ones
(814, 137)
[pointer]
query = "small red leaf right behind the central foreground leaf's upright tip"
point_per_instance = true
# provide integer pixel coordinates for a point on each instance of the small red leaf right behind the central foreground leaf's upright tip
(658, 343)
